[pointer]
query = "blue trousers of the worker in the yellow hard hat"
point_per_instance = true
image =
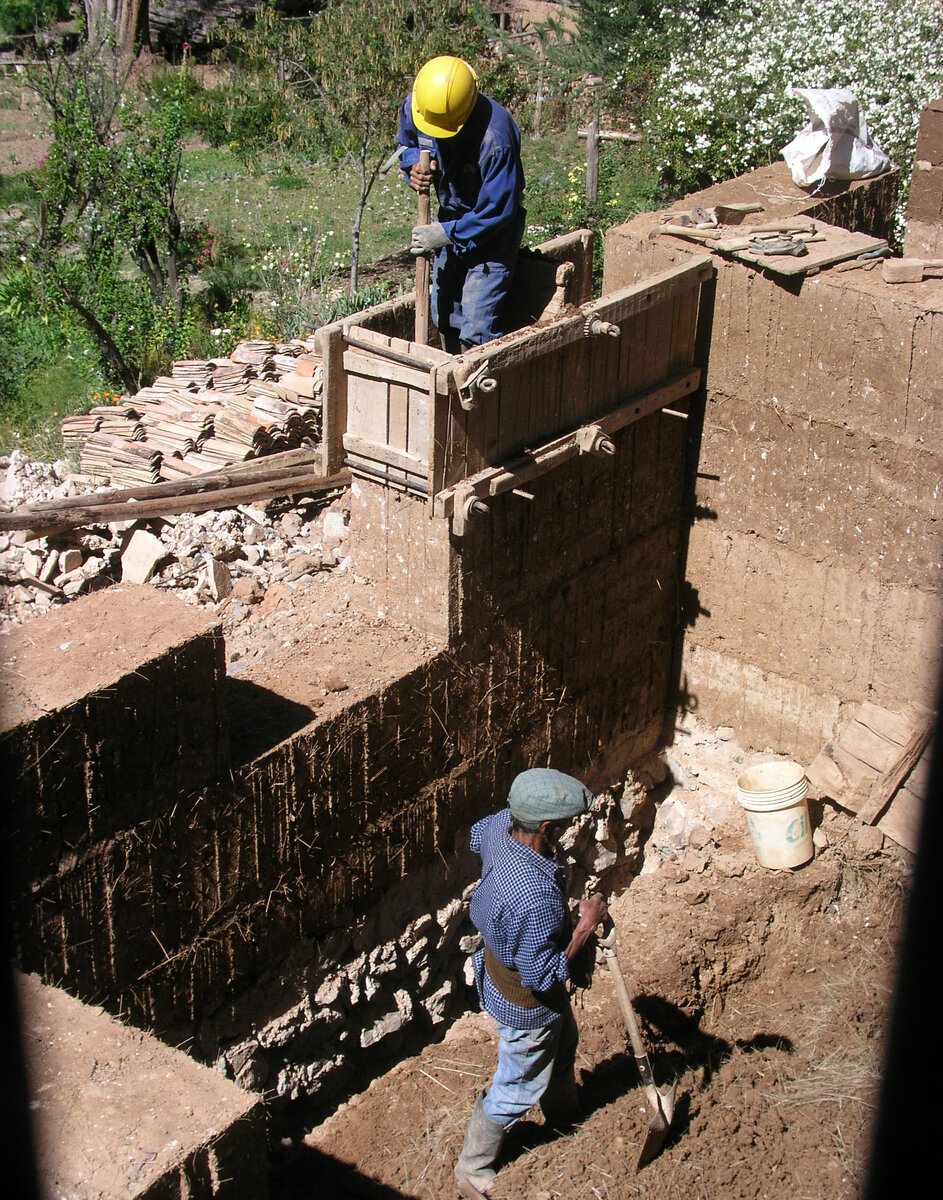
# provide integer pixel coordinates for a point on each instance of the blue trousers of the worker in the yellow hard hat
(470, 290)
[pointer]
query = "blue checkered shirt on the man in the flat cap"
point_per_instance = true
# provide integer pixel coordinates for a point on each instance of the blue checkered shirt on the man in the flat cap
(520, 910)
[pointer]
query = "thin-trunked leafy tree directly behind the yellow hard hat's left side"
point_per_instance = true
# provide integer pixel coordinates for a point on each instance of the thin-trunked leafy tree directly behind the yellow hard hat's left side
(334, 86)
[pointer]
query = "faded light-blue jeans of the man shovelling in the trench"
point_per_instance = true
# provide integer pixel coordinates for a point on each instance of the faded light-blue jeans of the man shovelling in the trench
(526, 1061)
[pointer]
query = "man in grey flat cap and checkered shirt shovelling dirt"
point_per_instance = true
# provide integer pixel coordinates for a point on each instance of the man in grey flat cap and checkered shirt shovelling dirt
(520, 909)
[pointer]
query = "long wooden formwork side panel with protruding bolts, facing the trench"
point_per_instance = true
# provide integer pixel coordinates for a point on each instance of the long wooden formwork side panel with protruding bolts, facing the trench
(609, 364)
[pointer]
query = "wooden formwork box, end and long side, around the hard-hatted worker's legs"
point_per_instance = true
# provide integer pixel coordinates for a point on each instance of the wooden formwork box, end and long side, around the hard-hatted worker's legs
(416, 421)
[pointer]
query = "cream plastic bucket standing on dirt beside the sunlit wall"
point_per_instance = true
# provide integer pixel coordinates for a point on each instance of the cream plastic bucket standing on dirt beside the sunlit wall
(774, 797)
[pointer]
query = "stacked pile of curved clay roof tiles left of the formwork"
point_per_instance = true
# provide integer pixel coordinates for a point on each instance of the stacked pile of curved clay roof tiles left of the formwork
(207, 415)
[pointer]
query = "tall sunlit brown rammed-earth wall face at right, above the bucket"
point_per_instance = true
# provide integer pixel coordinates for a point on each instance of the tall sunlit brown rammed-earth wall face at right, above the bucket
(813, 566)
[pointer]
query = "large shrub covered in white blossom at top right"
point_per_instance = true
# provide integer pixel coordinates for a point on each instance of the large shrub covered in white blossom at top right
(724, 104)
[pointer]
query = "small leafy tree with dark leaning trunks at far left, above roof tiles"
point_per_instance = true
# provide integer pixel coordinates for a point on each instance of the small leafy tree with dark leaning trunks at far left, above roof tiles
(107, 194)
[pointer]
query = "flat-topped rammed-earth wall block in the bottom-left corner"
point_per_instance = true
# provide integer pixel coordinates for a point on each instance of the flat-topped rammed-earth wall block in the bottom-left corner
(160, 1125)
